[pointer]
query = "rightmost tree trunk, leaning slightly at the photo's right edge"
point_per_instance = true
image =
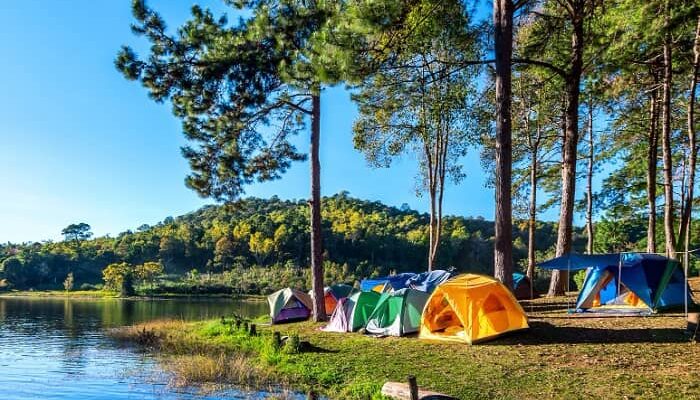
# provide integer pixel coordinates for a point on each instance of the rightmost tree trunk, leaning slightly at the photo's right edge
(692, 143)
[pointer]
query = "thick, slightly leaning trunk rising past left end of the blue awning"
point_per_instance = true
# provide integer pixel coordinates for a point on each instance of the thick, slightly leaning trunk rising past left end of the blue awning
(560, 278)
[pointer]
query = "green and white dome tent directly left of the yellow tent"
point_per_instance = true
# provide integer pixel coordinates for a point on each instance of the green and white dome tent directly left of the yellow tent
(397, 313)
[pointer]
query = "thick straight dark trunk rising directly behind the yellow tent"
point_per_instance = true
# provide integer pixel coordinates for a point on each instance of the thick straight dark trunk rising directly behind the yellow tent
(503, 46)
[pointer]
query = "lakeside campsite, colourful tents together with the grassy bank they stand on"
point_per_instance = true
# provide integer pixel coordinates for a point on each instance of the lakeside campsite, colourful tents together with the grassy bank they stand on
(466, 336)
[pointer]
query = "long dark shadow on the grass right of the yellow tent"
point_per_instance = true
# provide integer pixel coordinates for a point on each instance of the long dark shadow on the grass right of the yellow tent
(541, 333)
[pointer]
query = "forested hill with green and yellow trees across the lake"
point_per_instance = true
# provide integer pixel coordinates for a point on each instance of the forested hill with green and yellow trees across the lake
(361, 238)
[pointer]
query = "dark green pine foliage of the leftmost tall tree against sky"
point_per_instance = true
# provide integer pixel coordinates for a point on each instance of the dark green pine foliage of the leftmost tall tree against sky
(240, 89)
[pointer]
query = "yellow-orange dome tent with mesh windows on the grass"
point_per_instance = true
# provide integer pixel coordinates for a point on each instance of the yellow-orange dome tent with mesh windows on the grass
(471, 308)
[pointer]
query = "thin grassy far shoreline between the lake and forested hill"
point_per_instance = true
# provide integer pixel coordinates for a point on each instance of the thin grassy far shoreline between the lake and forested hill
(98, 294)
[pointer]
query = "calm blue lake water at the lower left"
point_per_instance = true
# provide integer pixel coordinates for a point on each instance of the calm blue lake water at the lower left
(57, 348)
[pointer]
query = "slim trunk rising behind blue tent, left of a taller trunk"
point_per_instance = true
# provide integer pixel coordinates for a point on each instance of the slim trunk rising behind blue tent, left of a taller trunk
(652, 160)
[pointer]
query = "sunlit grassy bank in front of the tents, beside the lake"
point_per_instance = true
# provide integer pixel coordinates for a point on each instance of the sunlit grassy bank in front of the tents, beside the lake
(559, 357)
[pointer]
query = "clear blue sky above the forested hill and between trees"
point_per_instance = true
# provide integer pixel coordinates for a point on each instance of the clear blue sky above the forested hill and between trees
(79, 143)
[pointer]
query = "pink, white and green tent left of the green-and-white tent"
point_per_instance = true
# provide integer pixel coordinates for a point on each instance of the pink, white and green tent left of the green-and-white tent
(352, 312)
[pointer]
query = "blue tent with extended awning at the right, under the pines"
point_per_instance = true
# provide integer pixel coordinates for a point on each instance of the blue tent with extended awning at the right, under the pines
(626, 281)
